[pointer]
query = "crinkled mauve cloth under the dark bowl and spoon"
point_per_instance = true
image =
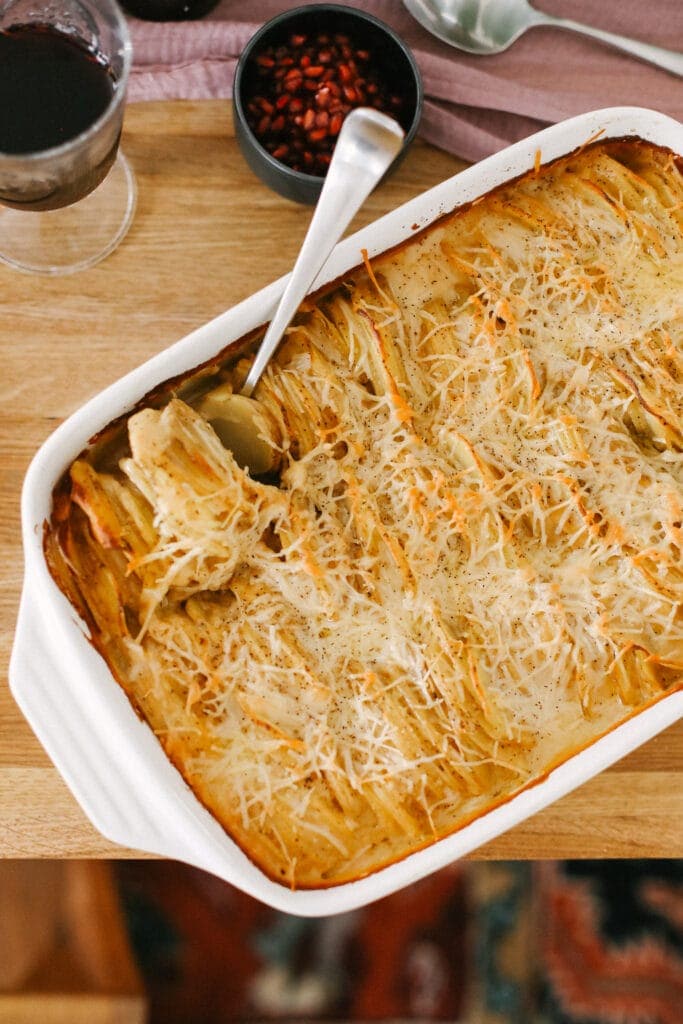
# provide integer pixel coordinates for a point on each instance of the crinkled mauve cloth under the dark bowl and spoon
(474, 106)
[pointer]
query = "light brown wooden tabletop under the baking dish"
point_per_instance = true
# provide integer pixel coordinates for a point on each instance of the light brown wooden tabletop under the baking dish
(206, 235)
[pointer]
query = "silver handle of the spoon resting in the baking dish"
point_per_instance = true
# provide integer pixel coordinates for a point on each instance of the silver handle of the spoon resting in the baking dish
(368, 144)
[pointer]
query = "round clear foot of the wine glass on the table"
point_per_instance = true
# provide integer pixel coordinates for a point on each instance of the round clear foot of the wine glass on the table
(75, 237)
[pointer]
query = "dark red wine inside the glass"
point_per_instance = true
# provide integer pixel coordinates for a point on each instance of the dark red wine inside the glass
(53, 88)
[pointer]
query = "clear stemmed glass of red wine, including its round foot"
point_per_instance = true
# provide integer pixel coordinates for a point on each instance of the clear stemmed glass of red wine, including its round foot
(67, 193)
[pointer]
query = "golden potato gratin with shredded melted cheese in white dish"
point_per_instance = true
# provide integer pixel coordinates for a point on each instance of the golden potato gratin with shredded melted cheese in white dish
(471, 566)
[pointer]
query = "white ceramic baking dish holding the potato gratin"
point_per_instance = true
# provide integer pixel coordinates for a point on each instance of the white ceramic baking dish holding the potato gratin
(111, 760)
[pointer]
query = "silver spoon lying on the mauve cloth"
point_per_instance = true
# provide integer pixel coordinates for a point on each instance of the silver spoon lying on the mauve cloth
(491, 26)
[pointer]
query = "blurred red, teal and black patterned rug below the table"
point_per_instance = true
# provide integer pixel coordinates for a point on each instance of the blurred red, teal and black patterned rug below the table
(580, 943)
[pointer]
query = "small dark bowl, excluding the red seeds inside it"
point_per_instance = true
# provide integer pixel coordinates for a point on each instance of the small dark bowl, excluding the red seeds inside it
(393, 64)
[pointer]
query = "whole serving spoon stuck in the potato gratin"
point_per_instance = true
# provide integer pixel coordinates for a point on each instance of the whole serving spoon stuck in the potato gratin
(368, 144)
